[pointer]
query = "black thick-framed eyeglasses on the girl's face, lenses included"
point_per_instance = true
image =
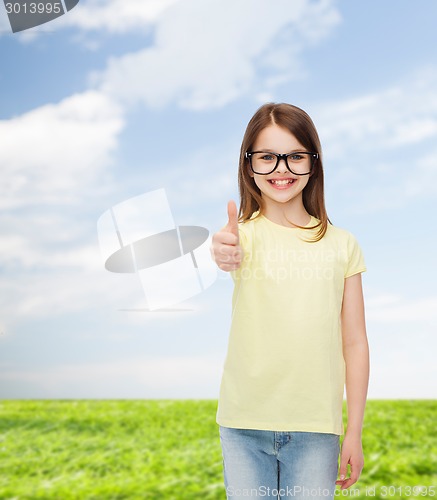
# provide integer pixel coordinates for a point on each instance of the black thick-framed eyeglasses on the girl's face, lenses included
(266, 162)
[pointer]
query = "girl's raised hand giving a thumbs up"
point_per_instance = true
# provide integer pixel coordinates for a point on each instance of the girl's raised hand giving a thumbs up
(225, 248)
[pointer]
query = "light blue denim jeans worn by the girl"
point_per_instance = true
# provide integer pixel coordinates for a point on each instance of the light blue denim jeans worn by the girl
(276, 464)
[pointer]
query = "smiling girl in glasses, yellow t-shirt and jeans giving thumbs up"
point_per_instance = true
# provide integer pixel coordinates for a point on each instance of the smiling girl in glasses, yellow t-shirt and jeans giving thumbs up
(298, 330)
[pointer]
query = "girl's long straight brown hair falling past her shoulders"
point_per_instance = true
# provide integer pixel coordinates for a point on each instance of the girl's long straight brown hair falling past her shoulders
(296, 121)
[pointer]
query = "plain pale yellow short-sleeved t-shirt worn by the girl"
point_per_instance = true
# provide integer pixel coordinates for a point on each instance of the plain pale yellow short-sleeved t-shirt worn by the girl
(284, 369)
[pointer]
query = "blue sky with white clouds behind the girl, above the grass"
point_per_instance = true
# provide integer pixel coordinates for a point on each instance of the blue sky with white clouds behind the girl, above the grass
(121, 97)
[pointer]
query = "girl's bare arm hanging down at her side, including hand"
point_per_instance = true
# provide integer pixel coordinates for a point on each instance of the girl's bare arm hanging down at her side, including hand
(356, 355)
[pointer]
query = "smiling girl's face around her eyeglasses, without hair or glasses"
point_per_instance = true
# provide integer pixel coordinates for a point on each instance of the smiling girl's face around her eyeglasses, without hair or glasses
(281, 186)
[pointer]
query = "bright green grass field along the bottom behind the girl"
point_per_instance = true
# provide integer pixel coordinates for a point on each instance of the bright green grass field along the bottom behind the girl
(126, 449)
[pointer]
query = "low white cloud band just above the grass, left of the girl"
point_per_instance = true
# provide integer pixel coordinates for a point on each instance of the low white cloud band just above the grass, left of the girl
(167, 377)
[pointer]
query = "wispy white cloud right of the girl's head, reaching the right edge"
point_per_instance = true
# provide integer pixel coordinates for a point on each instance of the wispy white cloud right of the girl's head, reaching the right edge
(402, 115)
